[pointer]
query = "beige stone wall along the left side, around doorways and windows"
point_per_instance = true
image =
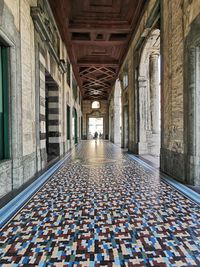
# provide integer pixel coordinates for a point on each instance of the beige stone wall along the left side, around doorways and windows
(31, 58)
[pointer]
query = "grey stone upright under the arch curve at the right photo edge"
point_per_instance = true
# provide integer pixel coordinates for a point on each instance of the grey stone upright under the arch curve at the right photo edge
(192, 113)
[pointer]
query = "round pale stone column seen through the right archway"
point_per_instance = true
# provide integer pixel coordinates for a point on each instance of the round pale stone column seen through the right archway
(155, 93)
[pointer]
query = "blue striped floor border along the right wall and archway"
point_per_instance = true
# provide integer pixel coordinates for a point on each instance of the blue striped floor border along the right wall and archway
(189, 193)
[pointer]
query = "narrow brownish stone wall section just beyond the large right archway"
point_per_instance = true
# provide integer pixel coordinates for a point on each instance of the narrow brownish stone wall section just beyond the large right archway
(129, 94)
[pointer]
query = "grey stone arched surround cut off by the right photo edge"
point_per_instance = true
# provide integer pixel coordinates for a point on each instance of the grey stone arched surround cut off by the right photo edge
(192, 103)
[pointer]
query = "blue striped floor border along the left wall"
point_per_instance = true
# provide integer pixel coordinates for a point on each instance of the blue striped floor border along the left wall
(16, 203)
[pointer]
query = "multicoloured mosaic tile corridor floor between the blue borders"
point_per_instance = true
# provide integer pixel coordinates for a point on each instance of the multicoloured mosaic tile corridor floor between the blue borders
(103, 209)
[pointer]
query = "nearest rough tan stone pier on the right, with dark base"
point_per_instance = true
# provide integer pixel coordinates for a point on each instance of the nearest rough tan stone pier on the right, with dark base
(177, 20)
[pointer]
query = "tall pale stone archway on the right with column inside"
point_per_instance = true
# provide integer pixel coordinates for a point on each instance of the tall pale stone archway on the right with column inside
(149, 95)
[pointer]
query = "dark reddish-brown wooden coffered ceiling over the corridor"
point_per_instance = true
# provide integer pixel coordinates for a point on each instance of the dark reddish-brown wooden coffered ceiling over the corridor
(97, 35)
